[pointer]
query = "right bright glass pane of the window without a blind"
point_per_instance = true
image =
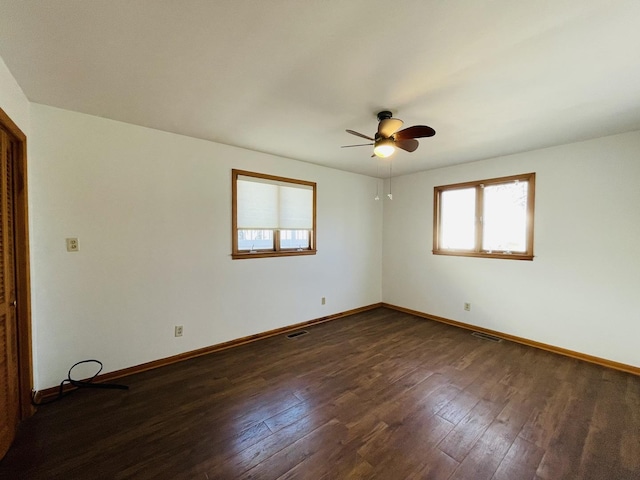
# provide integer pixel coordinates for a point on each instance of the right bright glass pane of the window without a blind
(505, 217)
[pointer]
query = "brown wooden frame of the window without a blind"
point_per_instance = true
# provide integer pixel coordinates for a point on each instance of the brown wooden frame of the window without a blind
(477, 251)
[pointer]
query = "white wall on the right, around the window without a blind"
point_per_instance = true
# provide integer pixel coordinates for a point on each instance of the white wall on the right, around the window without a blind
(579, 292)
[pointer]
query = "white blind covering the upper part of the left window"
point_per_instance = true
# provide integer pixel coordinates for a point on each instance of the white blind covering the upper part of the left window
(270, 204)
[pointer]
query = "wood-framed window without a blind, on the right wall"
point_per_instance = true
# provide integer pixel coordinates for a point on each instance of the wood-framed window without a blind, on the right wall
(488, 218)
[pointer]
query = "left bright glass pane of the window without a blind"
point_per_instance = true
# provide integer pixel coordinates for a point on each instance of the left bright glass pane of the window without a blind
(457, 219)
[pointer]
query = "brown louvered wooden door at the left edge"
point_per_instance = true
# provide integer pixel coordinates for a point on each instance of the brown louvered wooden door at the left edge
(9, 378)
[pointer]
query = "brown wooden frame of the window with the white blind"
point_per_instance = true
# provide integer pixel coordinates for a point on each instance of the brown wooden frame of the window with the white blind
(237, 254)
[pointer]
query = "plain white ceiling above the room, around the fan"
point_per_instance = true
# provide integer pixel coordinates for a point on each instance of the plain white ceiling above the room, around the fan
(287, 77)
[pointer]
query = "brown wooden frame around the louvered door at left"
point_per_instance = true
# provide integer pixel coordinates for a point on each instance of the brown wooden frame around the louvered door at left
(23, 283)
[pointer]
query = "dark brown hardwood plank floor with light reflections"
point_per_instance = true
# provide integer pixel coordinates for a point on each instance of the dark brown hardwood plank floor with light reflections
(378, 395)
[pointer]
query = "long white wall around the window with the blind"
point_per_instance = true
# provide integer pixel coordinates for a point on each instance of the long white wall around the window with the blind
(152, 212)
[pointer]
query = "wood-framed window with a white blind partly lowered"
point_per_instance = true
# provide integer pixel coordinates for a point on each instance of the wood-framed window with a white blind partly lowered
(272, 216)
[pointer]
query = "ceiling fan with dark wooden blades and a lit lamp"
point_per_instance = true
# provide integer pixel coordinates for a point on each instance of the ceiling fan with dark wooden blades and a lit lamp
(388, 136)
